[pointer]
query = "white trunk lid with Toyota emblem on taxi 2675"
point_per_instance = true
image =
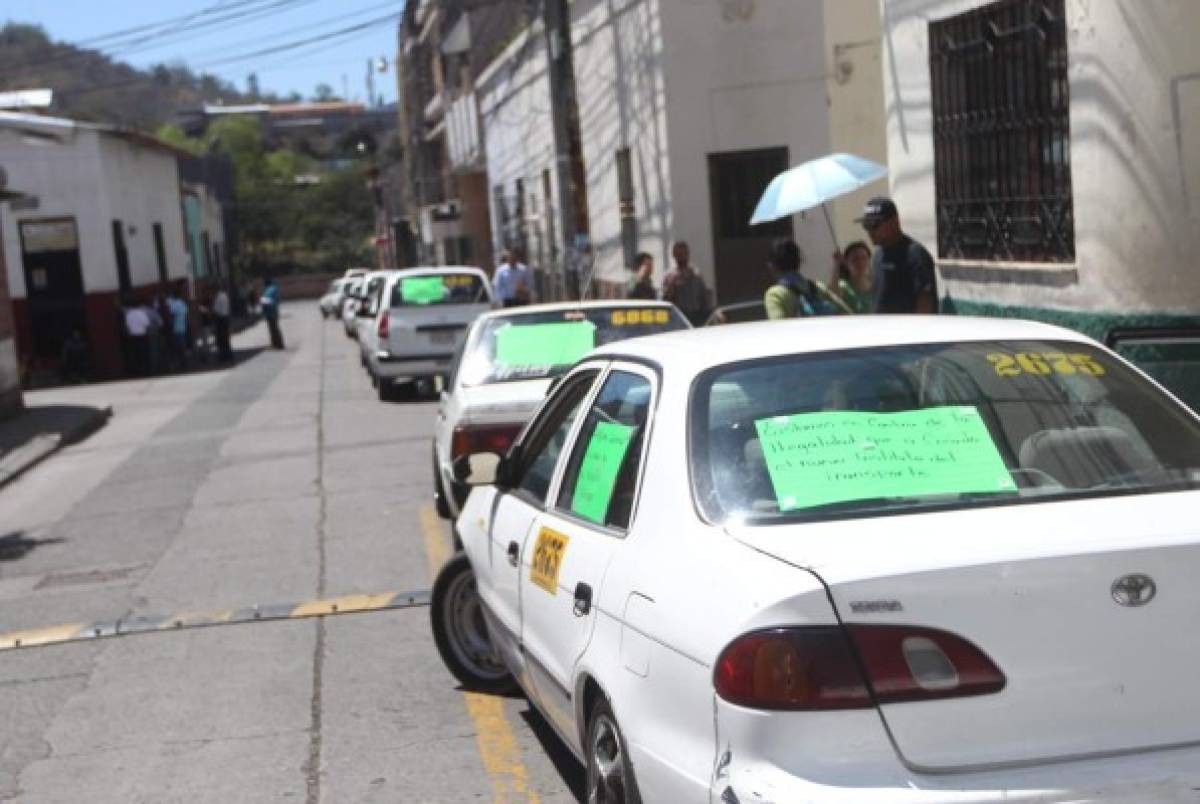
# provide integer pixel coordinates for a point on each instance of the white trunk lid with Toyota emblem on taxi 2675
(1033, 586)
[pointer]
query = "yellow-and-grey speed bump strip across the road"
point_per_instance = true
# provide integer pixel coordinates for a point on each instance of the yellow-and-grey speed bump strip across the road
(352, 604)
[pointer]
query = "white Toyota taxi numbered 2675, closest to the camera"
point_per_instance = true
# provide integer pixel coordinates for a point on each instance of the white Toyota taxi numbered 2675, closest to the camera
(925, 560)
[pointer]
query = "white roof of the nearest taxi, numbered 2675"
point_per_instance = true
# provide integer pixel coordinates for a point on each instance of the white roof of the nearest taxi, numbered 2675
(694, 351)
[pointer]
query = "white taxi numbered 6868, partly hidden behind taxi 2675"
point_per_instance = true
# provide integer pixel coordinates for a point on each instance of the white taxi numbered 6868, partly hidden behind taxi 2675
(507, 364)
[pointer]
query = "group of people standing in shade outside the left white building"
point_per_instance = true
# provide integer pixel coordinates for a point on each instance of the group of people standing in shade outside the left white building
(159, 334)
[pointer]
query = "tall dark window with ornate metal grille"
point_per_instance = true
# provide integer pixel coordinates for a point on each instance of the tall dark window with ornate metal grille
(1003, 134)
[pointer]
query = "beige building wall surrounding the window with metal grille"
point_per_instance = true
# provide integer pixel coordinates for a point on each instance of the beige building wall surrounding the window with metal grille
(1135, 82)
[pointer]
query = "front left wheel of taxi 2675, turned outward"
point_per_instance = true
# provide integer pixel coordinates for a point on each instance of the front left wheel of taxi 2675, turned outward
(460, 633)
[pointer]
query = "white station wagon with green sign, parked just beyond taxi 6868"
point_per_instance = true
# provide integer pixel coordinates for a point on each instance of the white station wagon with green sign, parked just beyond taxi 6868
(417, 322)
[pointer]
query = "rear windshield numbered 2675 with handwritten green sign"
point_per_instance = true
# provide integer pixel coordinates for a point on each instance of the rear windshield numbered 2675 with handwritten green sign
(903, 429)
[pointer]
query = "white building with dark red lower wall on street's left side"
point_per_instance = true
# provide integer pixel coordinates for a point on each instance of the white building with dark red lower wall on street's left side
(101, 219)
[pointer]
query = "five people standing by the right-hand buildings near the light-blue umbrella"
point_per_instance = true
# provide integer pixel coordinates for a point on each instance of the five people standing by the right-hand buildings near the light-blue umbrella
(897, 278)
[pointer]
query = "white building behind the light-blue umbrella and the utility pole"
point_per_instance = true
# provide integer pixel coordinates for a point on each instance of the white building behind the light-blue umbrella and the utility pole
(687, 111)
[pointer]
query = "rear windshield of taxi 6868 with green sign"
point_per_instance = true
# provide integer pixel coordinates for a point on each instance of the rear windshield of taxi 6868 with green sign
(545, 344)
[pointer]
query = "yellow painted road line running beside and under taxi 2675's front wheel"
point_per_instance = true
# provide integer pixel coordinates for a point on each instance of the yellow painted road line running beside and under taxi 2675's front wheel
(494, 735)
